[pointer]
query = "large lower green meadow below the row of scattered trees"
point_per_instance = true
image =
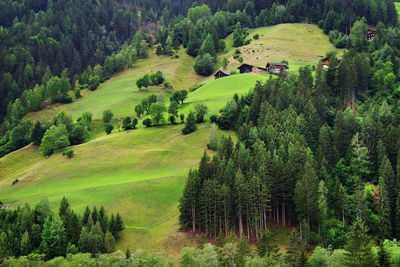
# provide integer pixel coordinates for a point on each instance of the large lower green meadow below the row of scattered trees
(140, 174)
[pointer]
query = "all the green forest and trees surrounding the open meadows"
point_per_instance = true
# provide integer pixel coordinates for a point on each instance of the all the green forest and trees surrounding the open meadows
(317, 151)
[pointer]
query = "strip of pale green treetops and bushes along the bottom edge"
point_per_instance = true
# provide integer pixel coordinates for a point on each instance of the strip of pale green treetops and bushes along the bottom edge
(228, 251)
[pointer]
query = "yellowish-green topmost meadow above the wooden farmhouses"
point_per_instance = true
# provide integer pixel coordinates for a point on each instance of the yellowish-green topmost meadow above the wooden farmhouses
(300, 44)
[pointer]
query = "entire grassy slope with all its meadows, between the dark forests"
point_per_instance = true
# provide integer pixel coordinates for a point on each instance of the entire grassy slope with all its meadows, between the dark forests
(141, 174)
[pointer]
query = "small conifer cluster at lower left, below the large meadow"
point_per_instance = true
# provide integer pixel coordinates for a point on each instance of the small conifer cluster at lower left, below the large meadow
(40, 233)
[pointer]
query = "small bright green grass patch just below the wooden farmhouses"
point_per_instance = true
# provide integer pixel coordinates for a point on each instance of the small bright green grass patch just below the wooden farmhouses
(216, 93)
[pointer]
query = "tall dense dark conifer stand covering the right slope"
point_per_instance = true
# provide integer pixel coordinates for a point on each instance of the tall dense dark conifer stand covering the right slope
(305, 156)
